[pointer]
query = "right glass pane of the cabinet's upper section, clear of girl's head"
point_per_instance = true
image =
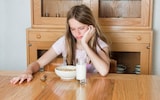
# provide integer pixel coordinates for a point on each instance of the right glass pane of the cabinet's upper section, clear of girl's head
(120, 8)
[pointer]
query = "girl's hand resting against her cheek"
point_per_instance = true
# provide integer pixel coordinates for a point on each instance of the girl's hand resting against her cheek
(89, 33)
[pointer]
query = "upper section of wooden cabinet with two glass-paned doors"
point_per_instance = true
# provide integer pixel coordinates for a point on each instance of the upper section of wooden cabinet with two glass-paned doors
(128, 14)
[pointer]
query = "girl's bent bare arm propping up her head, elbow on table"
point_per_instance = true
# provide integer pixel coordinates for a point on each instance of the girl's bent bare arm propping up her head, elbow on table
(100, 61)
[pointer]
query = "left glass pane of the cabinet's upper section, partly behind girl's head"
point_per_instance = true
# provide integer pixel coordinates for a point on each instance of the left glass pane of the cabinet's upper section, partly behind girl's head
(58, 8)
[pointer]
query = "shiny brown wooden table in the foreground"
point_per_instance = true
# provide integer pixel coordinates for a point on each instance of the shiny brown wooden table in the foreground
(111, 87)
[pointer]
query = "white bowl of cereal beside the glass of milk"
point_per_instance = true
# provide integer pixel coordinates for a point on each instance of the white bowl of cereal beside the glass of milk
(66, 72)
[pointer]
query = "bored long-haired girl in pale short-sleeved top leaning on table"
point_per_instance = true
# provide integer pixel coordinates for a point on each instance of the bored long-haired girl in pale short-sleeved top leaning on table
(83, 40)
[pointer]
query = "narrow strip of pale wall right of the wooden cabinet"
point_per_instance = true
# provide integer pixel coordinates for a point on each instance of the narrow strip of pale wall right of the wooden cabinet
(156, 39)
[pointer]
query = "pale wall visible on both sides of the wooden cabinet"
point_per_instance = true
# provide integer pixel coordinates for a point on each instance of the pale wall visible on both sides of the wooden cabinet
(15, 18)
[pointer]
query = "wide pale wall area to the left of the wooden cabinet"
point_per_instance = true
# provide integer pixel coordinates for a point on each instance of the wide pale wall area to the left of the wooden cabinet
(14, 19)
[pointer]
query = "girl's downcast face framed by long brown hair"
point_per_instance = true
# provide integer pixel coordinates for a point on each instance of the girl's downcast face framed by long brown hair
(78, 29)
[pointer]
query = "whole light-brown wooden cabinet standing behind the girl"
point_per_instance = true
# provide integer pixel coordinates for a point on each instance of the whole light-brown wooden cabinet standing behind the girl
(128, 23)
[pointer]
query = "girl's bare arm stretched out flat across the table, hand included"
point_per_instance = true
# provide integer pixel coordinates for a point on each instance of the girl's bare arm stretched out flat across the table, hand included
(34, 67)
